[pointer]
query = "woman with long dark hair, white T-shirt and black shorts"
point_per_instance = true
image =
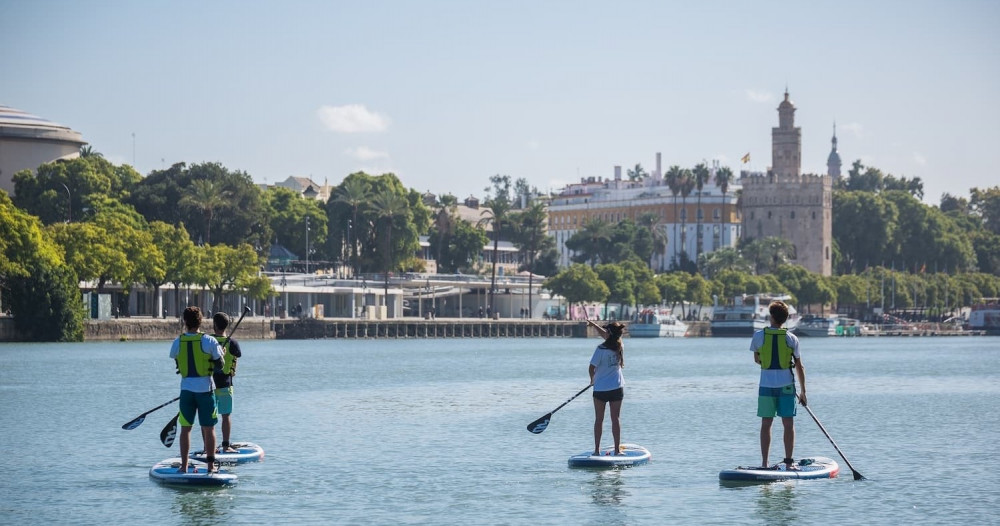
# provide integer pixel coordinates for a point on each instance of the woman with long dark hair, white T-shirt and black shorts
(609, 383)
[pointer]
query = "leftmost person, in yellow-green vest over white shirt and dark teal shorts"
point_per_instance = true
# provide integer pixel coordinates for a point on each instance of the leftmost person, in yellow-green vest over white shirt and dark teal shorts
(197, 355)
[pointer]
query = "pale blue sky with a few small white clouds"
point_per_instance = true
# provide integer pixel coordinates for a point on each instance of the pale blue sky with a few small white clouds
(446, 94)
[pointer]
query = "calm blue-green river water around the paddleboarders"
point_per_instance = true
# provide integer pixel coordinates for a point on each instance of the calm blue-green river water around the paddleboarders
(433, 432)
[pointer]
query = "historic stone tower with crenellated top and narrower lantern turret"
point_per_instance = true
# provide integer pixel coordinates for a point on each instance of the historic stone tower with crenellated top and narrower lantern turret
(784, 203)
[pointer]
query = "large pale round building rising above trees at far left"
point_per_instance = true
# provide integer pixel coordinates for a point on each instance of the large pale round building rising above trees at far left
(28, 141)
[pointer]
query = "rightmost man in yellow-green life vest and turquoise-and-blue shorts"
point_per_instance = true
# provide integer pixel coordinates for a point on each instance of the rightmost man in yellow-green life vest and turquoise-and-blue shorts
(777, 352)
